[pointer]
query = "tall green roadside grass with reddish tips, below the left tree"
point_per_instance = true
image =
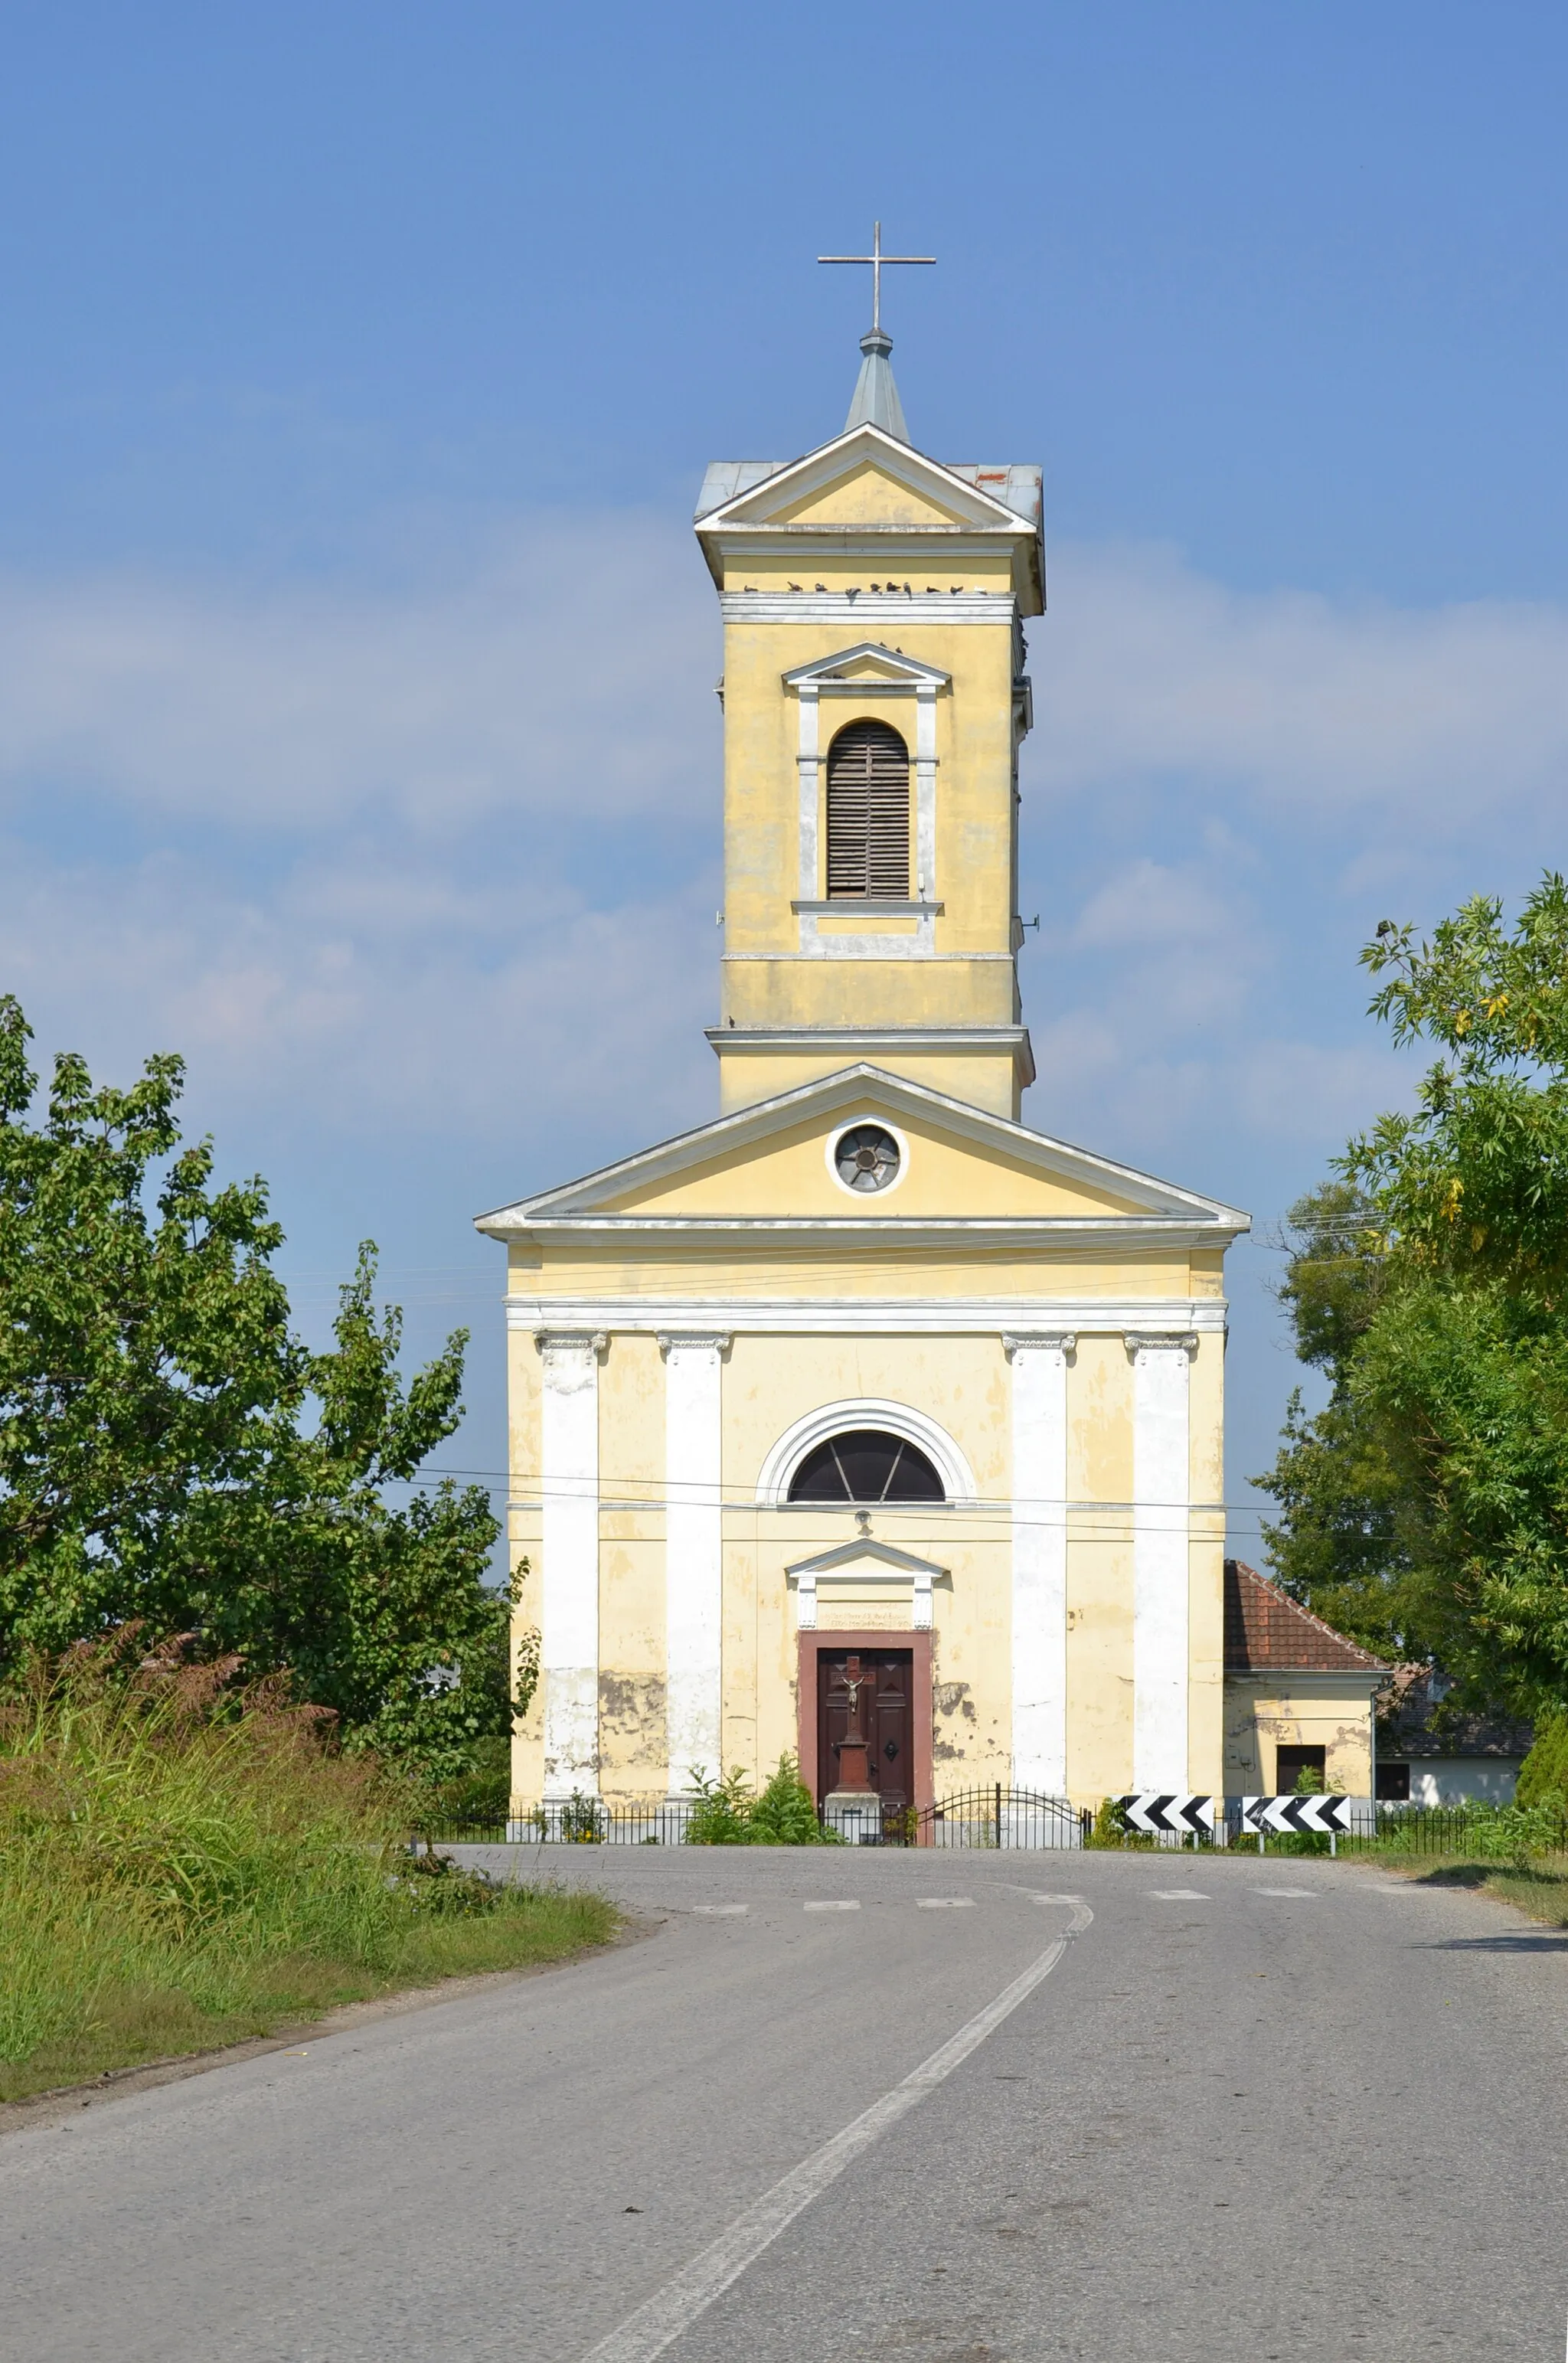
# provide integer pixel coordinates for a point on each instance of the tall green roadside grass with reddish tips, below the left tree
(181, 1866)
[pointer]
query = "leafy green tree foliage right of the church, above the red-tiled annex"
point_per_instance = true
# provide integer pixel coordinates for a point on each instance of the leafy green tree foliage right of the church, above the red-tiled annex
(1425, 1509)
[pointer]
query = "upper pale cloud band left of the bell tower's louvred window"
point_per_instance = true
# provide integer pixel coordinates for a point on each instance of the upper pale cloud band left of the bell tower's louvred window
(568, 670)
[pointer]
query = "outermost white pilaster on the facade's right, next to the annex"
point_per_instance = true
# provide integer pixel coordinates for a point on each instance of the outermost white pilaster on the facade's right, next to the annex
(1161, 1558)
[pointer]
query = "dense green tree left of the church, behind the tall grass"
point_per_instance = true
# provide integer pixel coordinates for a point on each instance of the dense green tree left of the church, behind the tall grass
(174, 1454)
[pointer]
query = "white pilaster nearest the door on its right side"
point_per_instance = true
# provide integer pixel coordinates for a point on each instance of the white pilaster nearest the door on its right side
(1040, 1561)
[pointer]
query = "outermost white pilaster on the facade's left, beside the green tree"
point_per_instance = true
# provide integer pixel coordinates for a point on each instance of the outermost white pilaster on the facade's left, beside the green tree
(570, 1551)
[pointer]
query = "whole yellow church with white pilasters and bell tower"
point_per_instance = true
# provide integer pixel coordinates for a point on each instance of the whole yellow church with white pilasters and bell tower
(865, 1412)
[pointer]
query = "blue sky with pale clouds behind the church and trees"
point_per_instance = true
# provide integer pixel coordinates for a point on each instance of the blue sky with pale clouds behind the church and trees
(341, 334)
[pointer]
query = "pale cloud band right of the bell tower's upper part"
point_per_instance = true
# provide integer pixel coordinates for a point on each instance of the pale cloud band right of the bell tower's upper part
(1354, 710)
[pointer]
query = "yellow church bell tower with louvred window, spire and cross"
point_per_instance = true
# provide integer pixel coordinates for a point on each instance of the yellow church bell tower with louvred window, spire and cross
(875, 705)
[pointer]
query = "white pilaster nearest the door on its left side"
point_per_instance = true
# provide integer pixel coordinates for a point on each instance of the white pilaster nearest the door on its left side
(693, 1551)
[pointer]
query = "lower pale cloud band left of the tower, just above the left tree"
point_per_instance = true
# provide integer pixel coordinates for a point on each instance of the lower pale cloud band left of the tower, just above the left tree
(360, 1003)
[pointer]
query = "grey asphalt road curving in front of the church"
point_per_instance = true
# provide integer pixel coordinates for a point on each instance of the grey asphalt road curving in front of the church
(1302, 2114)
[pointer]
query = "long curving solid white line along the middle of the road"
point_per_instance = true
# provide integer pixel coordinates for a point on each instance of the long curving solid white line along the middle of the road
(672, 2310)
